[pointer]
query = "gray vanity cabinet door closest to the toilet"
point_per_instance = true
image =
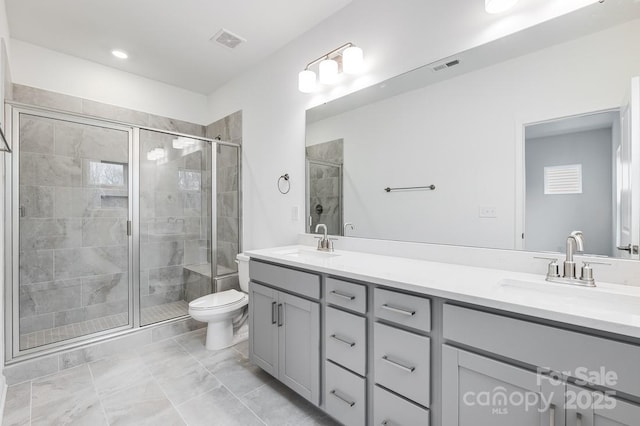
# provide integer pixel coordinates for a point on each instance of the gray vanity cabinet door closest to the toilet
(263, 331)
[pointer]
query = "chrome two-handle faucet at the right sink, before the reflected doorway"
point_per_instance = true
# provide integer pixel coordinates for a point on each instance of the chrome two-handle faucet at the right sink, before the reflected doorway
(575, 244)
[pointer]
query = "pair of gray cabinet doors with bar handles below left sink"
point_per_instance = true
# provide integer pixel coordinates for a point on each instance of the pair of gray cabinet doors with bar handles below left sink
(285, 338)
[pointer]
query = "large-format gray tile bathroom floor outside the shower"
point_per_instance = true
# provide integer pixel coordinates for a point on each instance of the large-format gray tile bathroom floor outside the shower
(172, 382)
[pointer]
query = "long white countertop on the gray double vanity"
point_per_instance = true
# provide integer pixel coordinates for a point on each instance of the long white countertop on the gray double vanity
(608, 307)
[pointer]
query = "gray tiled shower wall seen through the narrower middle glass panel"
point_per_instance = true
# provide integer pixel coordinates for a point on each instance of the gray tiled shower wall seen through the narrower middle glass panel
(174, 193)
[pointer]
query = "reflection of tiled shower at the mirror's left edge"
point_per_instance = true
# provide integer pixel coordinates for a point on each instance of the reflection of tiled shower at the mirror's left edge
(325, 185)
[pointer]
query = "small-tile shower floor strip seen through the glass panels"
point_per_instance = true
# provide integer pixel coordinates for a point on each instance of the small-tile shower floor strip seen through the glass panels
(150, 315)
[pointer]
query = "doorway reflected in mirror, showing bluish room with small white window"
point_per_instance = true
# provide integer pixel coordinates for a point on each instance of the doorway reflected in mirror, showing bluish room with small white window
(570, 173)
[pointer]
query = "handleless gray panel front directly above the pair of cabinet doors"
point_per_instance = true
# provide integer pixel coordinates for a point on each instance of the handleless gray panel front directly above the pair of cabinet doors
(291, 280)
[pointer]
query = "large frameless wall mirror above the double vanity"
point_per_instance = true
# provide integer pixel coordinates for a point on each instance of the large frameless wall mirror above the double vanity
(512, 145)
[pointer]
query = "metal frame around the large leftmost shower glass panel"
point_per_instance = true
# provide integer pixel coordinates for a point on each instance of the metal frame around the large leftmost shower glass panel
(12, 229)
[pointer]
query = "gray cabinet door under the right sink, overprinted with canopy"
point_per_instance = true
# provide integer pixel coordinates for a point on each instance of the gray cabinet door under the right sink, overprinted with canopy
(479, 391)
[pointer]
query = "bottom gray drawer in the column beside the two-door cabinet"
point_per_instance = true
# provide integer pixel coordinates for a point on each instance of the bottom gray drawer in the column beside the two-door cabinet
(345, 395)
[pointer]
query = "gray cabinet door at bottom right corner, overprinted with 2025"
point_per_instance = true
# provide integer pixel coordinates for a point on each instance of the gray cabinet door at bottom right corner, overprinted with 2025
(589, 408)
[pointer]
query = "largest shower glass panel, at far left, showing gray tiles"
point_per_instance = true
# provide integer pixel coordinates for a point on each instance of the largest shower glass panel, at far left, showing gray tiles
(72, 277)
